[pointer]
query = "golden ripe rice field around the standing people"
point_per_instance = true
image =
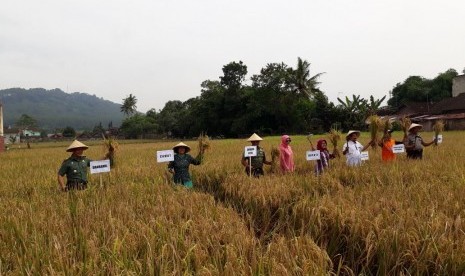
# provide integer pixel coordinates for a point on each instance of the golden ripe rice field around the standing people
(400, 218)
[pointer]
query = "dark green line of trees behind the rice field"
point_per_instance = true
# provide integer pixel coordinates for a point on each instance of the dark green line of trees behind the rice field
(280, 99)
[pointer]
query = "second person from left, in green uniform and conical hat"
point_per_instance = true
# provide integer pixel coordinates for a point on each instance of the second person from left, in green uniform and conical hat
(180, 166)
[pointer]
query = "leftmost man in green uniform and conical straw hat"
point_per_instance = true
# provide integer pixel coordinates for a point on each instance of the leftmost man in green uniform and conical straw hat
(75, 168)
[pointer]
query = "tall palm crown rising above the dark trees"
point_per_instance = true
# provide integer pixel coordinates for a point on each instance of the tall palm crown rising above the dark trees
(303, 83)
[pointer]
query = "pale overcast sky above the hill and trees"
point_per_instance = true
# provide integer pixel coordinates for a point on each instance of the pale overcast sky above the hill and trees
(161, 50)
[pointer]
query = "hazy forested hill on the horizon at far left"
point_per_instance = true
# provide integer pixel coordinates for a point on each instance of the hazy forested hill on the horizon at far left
(57, 109)
